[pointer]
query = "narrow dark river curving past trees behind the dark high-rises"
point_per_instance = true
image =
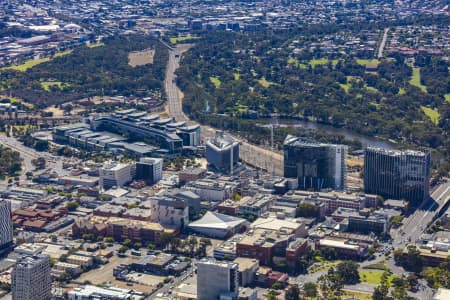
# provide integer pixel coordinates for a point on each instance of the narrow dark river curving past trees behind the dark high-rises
(349, 134)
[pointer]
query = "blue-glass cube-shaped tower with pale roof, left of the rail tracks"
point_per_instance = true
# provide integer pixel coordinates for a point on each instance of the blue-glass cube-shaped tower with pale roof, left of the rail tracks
(222, 153)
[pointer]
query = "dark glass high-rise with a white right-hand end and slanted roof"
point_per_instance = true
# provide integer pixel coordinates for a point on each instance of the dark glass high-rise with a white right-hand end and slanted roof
(316, 165)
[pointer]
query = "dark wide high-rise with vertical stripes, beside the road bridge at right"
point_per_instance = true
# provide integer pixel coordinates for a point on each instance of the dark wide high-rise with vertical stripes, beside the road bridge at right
(397, 174)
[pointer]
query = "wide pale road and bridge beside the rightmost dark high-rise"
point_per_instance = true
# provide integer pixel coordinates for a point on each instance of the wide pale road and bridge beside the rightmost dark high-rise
(415, 225)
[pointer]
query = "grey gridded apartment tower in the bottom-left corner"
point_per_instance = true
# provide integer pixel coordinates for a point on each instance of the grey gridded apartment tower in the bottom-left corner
(31, 278)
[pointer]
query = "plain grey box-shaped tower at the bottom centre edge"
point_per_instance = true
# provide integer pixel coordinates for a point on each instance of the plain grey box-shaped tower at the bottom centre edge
(215, 279)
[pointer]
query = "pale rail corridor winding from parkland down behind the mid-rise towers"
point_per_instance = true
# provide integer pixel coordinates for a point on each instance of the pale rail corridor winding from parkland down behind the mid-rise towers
(253, 155)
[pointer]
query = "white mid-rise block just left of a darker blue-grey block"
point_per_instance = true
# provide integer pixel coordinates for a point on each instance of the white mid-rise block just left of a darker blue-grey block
(116, 174)
